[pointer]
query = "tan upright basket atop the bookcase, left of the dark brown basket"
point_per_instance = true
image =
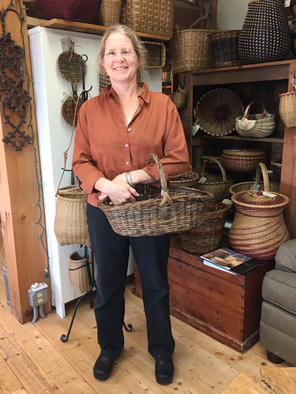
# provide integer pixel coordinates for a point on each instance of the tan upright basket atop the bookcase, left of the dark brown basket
(190, 50)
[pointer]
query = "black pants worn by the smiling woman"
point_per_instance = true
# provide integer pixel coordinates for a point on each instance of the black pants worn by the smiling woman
(111, 252)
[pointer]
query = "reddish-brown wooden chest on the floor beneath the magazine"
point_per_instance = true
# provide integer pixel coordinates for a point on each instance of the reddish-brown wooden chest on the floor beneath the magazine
(227, 307)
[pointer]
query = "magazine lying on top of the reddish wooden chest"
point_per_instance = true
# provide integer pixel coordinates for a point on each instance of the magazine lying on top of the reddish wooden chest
(231, 261)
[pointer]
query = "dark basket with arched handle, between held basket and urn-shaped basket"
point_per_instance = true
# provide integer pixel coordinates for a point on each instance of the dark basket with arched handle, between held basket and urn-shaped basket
(216, 184)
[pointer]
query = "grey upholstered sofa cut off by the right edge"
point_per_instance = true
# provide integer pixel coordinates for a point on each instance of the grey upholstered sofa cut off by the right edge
(278, 315)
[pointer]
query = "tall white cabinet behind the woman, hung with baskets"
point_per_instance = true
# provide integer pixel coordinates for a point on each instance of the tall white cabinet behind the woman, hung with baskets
(54, 135)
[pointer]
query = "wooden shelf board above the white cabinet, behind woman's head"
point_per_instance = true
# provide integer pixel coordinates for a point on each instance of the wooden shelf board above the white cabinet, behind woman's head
(82, 27)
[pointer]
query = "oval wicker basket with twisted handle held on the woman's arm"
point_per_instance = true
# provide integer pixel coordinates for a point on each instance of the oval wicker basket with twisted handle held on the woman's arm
(158, 211)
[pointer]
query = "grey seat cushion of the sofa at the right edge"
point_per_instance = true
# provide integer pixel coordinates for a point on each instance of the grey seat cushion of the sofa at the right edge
(279, 288)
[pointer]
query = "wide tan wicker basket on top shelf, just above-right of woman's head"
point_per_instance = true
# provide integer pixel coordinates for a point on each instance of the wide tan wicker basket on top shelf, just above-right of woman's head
(149, 16)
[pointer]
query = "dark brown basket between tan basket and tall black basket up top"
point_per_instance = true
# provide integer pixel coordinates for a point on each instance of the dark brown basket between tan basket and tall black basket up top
(223, 47)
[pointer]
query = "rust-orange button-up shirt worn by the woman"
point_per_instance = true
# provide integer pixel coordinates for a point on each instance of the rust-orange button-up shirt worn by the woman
(105, 147)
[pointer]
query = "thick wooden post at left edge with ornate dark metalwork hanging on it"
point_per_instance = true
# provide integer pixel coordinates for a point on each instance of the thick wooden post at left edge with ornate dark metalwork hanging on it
(21, 199)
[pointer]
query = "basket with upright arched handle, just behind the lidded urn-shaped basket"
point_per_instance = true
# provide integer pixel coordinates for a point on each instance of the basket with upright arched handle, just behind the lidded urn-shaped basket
(257, 185)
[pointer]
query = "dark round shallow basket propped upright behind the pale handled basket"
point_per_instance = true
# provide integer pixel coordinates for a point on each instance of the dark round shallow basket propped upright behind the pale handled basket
(217, 110)
